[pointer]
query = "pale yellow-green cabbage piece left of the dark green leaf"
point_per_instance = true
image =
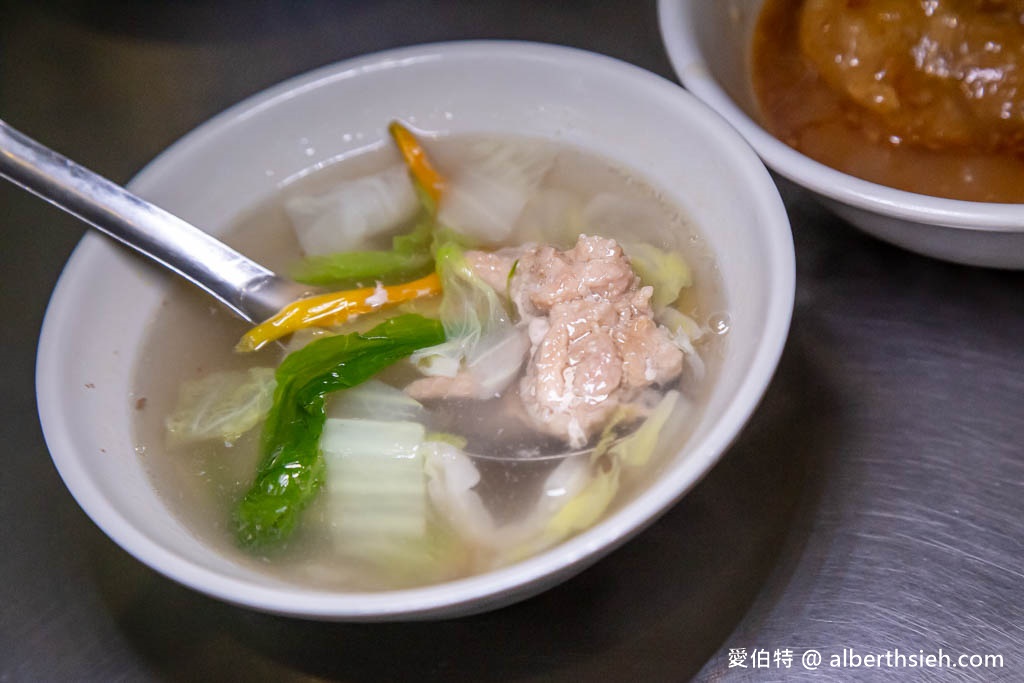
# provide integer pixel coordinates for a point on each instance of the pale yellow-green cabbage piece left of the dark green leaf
(222, 406)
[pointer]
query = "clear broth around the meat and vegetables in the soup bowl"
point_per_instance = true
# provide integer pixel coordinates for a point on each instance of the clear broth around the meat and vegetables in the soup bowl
(191, 337)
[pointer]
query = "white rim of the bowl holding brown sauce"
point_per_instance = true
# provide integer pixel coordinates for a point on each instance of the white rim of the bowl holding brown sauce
(679, 34)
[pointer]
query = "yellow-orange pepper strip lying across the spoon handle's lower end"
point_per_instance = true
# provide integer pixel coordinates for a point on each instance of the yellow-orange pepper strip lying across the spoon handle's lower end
(334, 309)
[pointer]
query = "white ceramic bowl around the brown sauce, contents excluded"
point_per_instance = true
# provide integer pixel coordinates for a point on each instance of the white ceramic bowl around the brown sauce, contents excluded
(709, 45)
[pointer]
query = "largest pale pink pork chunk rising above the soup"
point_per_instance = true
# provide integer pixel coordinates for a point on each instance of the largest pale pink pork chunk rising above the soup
(596, 346)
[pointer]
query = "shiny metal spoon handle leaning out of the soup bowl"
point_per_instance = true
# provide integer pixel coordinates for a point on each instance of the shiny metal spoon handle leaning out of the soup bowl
(244, 286)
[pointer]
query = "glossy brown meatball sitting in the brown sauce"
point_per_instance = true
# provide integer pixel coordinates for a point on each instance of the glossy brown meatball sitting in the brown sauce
(935, 73)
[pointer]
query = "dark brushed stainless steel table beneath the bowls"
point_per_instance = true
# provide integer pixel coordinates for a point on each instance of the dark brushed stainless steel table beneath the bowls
(875, 503)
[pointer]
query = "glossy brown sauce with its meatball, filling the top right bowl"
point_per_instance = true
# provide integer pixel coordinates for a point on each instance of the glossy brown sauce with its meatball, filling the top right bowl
(923, 96)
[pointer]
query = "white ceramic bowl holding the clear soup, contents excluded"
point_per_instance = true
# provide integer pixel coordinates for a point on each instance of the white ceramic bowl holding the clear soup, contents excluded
(97, 319)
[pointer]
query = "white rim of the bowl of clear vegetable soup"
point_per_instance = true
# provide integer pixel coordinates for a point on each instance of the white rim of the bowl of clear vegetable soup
(516, 580)
